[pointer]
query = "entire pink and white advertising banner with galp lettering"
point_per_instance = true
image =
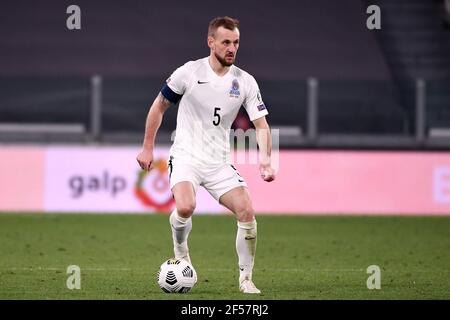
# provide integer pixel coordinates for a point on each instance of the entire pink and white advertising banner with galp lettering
(109, 180)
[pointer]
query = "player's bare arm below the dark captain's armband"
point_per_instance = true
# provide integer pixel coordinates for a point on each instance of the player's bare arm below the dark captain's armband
(152, 124)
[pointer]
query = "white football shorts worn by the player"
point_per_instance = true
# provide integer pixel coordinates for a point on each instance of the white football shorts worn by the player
(217, 181)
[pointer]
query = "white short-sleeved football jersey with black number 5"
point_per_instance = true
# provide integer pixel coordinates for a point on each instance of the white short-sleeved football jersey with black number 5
(208, 106)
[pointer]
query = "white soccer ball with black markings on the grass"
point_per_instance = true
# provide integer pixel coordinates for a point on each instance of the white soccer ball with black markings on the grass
(176, 275)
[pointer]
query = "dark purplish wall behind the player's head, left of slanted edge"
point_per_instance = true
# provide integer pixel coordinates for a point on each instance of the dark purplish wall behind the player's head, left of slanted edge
(280, 39)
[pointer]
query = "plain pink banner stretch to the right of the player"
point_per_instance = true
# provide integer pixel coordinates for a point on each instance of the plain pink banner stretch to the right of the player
(349, 182)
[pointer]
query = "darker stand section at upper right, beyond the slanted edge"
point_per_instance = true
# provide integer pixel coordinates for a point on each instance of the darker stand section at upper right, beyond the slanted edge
(416, 45)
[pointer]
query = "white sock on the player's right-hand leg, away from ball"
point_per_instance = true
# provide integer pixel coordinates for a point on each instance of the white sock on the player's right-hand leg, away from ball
(246, 248)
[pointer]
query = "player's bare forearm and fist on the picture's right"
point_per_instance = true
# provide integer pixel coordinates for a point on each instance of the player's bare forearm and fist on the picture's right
(264, 139)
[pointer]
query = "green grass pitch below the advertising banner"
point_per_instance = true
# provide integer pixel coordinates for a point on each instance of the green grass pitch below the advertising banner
(298, 257)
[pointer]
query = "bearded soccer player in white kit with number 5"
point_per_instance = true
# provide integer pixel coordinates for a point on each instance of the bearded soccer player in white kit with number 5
(211, 91)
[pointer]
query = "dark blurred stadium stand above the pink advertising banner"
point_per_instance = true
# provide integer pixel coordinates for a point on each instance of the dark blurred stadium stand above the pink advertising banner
(369, 82)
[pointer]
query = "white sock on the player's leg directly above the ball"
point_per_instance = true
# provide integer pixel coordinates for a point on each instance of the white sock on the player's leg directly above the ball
(180, 231)
